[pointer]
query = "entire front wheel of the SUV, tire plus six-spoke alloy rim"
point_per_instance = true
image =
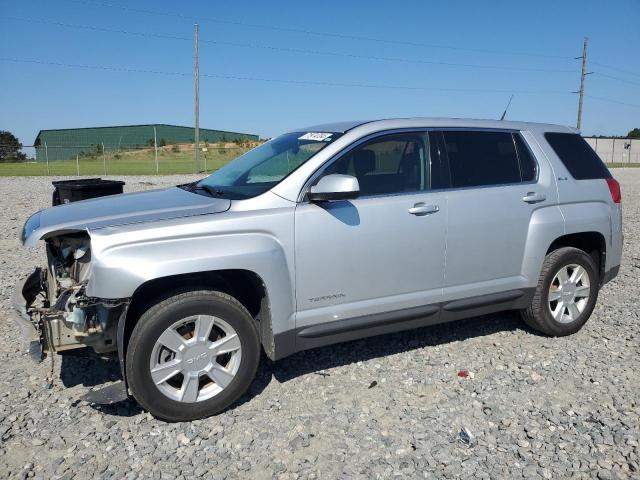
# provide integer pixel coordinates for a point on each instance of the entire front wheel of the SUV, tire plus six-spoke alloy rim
(183, 313)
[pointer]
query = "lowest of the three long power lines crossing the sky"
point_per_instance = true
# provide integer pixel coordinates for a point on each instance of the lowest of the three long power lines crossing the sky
(280, 80)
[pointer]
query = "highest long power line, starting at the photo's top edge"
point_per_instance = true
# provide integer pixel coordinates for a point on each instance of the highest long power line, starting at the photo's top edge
(315, 32)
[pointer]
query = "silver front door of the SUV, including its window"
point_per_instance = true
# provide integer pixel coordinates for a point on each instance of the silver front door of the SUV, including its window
(383, 251)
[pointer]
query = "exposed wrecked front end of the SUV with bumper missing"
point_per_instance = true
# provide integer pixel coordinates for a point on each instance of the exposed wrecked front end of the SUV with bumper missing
(53, 308)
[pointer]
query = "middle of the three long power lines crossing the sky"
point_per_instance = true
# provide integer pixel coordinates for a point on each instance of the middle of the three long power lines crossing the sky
(295, 50)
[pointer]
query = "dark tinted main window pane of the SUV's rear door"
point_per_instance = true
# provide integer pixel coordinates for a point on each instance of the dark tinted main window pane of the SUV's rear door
(478, 158)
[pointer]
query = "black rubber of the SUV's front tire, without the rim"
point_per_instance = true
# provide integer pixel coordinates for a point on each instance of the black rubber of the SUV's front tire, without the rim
(162, 315)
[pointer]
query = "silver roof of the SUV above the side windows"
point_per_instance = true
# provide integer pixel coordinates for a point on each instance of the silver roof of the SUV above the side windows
(427, 122)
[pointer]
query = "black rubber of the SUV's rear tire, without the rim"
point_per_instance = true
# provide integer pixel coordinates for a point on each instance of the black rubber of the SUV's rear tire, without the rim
(538, 315)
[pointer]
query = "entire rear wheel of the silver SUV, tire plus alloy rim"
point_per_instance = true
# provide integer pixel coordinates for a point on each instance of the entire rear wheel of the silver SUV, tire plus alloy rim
(539, 313)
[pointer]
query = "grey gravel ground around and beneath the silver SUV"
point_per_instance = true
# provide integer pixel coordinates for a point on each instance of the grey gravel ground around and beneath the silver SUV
(377, 408)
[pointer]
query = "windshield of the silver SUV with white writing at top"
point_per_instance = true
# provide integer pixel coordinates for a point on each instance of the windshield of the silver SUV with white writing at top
(262, 168)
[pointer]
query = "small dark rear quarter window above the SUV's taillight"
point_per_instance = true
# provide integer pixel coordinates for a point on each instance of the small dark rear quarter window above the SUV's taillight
(576, 154)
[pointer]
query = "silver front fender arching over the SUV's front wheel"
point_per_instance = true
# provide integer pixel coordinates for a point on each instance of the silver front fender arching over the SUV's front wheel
(123, 258)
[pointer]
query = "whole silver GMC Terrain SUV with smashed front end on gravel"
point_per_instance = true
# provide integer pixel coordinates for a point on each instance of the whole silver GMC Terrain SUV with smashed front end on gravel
(323, 235)
